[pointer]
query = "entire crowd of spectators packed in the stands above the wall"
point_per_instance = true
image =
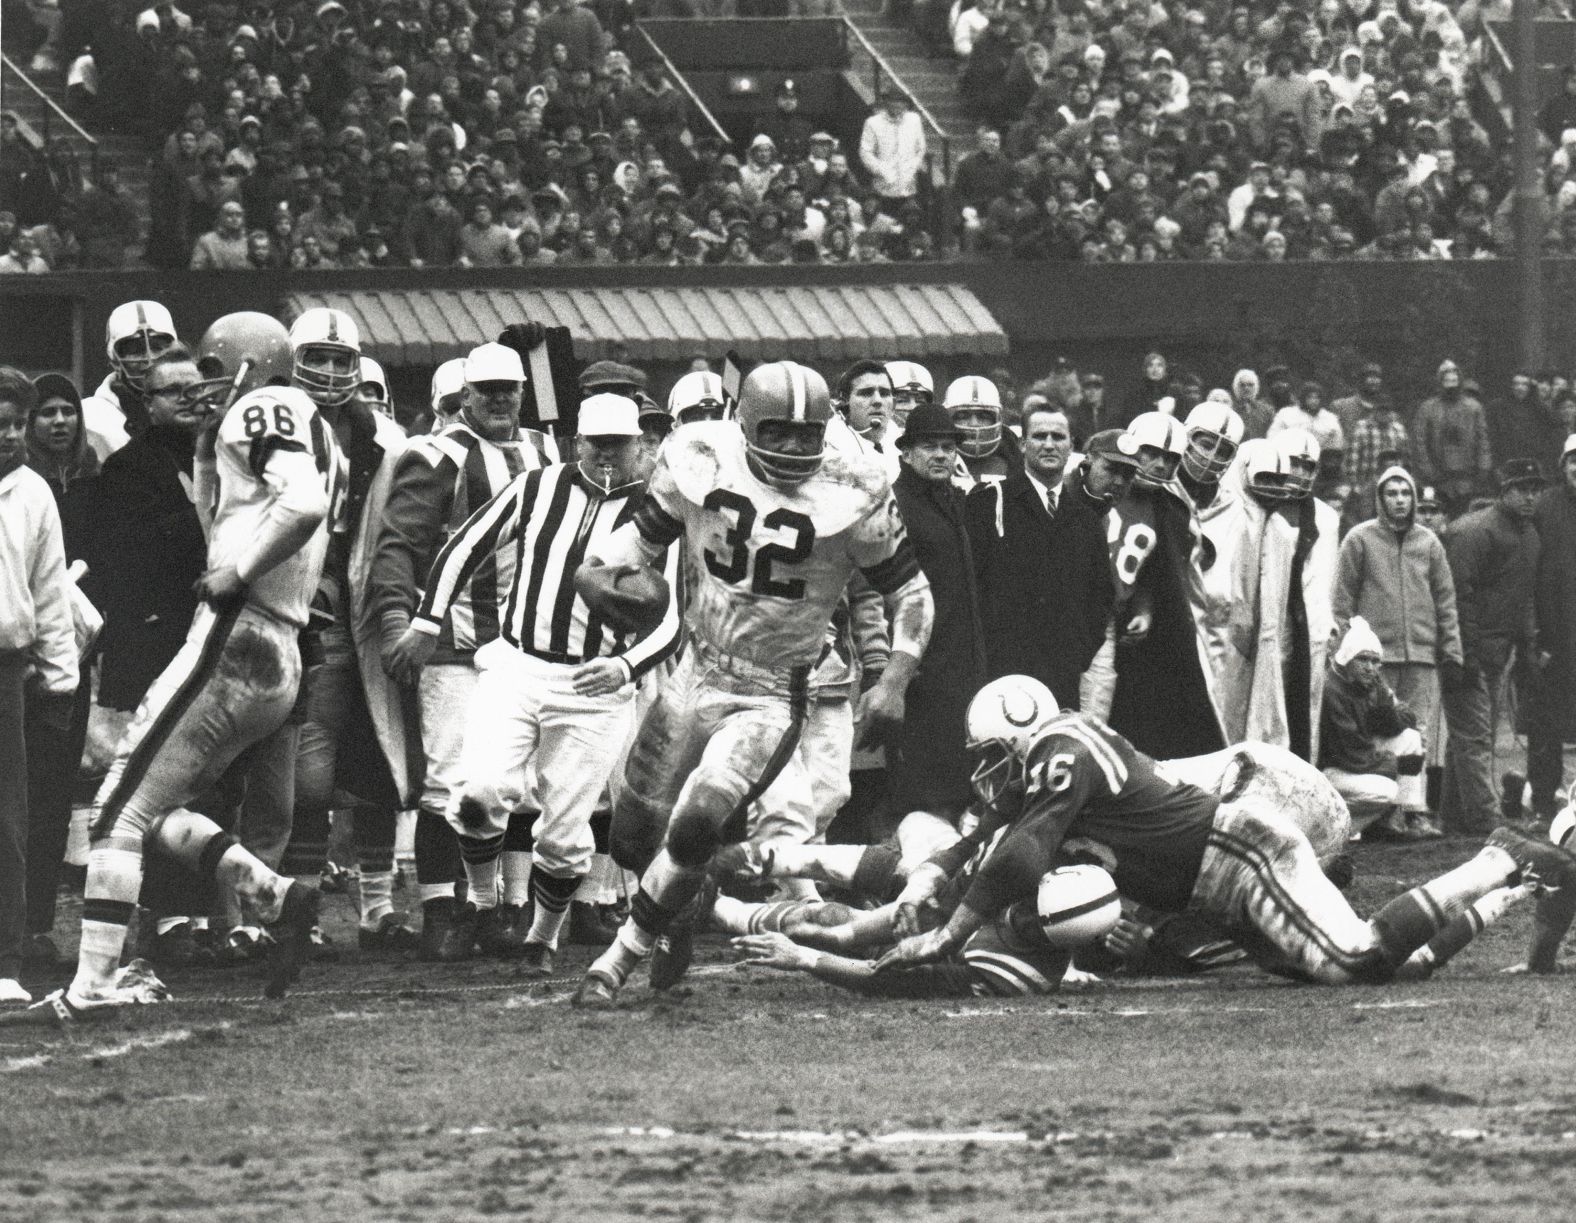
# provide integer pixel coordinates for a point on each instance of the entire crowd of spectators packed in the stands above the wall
(433, 133)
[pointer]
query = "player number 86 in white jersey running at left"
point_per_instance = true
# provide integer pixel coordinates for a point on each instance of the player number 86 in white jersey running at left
(275, 472)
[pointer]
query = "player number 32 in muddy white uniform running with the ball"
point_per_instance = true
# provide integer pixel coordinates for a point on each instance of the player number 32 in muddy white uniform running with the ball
(776, 522)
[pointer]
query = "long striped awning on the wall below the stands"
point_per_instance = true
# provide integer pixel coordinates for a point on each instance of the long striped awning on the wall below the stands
(816, 322)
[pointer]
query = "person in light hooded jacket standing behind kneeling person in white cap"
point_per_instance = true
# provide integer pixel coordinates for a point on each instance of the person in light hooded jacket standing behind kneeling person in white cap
(1396, 574)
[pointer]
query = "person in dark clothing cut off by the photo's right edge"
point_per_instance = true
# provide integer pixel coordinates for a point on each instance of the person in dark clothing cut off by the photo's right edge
(1552, 719)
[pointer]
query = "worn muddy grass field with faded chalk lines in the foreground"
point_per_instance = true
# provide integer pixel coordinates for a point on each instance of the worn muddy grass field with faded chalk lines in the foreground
(400, 1091)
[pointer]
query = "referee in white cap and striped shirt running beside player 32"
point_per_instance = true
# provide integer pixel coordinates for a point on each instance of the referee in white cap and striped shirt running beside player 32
(557, 688)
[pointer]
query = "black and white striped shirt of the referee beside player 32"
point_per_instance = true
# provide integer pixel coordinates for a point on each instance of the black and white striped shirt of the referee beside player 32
(552, 518)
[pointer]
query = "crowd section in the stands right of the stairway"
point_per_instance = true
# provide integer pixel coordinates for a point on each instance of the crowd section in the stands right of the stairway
(1161, 132)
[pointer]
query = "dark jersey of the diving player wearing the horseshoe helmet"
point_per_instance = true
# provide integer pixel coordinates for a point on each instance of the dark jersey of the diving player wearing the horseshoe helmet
(1083, 781)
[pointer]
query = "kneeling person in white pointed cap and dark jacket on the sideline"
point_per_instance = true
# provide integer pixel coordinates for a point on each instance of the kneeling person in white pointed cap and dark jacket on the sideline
(1369, 743)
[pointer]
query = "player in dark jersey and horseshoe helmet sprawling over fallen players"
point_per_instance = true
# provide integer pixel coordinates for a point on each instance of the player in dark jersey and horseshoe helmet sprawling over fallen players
(1175, 847)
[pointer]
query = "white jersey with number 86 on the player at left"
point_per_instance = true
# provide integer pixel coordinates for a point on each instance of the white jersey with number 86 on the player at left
(259, 428)
